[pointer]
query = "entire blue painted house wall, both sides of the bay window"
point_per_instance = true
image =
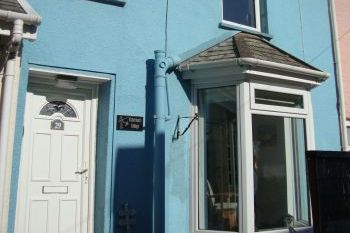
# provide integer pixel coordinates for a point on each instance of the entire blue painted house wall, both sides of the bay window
(99, 38)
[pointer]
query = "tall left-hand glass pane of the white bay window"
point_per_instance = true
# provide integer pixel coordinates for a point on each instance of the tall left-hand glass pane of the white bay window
(218, 162)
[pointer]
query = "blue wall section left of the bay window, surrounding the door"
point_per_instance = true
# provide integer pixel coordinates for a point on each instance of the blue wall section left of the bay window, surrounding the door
(95, 37)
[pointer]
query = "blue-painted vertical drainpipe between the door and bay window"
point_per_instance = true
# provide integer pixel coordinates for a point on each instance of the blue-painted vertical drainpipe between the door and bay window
(161, 66)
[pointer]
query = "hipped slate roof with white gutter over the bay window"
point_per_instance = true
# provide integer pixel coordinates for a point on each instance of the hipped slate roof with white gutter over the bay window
(244, 53)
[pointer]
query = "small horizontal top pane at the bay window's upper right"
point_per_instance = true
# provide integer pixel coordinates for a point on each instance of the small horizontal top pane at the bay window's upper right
(278, 99)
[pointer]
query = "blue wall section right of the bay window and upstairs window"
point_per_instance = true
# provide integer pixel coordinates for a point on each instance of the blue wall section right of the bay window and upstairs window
(302, 28)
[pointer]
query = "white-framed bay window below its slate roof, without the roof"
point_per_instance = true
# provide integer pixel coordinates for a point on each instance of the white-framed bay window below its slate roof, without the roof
(249, 163)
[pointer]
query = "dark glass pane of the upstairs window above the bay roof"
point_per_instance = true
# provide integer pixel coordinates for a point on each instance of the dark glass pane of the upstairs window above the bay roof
(239, 11)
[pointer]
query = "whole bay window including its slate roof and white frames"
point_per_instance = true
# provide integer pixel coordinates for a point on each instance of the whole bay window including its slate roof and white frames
(255, 124)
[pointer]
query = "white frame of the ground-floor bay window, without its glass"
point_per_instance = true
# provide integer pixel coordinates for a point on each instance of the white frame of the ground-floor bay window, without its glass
(245, 110)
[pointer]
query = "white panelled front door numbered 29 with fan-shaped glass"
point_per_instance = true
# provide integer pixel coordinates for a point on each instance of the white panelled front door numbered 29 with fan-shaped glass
(57, 154)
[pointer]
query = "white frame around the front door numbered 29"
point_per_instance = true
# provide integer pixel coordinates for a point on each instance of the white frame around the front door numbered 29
(88, 83)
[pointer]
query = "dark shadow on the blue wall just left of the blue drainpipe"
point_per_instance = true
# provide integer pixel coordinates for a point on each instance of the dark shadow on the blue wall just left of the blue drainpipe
(133, 181)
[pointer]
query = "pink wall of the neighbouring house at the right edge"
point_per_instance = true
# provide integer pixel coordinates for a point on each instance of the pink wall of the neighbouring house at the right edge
(342, 8)
